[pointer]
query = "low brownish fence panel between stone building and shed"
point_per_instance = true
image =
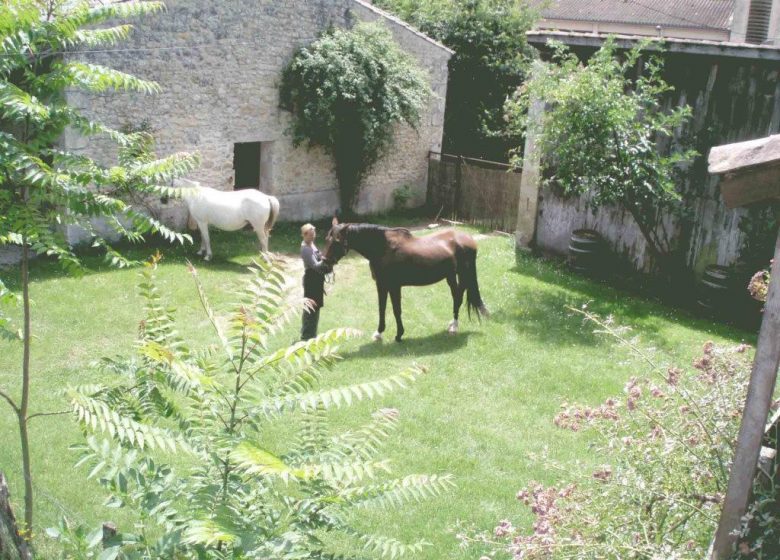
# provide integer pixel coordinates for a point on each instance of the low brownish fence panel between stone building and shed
(471, 190)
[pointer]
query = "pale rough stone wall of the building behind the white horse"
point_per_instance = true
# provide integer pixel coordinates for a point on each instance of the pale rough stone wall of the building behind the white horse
(219, 66)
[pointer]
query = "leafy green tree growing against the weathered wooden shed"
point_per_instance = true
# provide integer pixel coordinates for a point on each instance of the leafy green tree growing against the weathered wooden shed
(607, 134)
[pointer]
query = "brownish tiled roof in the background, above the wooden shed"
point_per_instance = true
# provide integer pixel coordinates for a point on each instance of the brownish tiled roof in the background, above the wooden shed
(707, 14)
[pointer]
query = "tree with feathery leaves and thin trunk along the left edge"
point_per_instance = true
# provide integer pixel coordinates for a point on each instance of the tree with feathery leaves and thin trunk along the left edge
(44, 187)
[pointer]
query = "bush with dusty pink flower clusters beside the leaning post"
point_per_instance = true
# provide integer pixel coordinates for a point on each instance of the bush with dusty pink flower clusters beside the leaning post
(668, 442)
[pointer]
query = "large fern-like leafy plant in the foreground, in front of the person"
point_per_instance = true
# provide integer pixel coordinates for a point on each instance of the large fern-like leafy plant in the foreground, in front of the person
(243, 493)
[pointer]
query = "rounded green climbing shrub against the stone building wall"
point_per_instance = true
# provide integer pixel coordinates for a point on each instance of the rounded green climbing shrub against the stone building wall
(346, 91)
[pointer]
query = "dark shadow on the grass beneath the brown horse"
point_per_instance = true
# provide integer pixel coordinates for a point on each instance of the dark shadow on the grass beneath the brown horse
(437, 343)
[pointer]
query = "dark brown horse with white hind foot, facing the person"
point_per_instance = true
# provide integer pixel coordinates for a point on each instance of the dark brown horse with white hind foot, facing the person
(397, 259)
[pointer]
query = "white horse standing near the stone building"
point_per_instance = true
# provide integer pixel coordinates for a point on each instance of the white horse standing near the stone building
(229, 211)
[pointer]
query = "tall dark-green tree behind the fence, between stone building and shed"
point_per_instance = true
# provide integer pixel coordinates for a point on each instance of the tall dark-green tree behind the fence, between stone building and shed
(490, 61)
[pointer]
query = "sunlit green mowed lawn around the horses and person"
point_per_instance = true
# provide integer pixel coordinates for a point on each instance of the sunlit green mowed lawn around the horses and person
(484, 412)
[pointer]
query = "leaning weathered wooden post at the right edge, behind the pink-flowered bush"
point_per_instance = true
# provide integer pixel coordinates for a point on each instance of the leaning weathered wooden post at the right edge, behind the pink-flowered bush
(759, 400)
